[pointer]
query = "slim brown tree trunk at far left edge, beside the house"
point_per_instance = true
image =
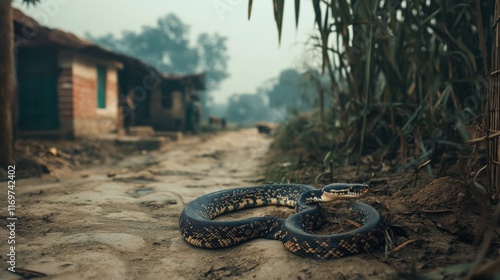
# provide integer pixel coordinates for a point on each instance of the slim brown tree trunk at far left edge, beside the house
(7, 82)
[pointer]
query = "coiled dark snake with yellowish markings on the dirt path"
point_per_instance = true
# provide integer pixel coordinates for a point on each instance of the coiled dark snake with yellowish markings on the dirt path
(198, 227)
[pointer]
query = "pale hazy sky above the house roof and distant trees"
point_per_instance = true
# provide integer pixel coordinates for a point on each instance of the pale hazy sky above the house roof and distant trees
(255, 55)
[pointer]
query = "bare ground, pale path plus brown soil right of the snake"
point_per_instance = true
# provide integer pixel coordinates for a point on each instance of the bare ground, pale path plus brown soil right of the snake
(119, 220)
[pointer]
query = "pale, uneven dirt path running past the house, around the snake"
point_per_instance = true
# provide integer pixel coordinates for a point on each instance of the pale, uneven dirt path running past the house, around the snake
(126, 226)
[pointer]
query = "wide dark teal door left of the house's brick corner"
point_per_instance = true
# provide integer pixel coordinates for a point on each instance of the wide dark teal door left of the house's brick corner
(37, 90)
